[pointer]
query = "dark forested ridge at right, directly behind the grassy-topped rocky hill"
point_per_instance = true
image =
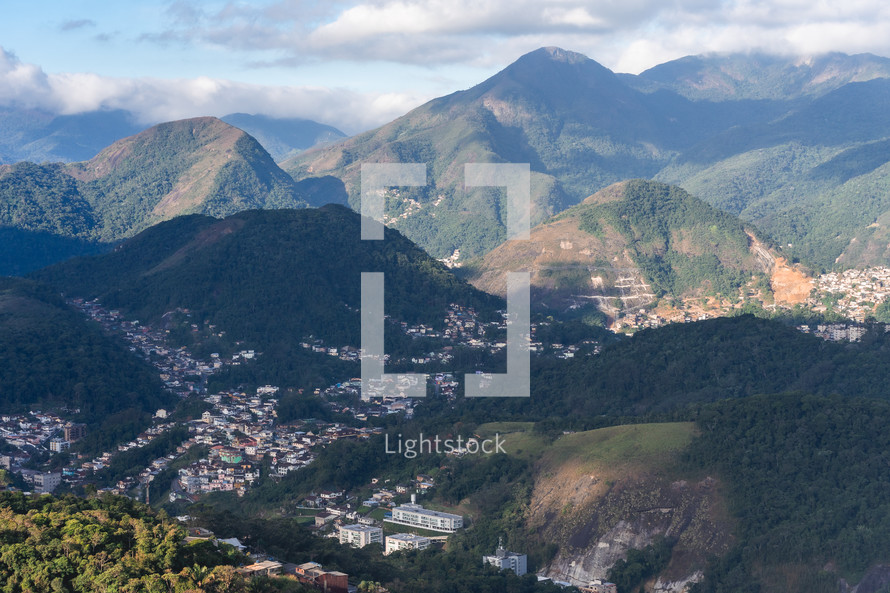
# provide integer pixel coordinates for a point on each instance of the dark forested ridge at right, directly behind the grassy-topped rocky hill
(660, 372)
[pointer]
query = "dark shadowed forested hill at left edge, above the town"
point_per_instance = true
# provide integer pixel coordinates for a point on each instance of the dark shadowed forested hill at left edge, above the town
(52, 358)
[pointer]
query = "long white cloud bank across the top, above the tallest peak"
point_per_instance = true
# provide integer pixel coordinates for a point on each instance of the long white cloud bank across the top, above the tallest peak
(622, 34)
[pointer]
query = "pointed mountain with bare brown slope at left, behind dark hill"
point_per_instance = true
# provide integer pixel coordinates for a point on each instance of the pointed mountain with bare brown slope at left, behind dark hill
(199, 165)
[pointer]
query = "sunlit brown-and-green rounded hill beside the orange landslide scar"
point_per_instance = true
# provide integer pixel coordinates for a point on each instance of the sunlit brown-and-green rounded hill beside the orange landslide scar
(627, 246)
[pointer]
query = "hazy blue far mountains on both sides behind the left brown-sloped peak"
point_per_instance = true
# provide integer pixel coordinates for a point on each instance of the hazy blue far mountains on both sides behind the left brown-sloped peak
(40, 136)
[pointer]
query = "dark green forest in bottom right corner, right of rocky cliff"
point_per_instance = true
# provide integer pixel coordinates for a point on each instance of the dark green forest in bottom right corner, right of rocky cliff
(807, 478)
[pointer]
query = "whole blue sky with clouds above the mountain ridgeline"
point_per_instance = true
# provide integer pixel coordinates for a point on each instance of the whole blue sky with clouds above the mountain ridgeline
(358, 63)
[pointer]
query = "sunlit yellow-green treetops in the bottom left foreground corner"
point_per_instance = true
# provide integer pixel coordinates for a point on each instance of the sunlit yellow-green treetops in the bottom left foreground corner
(108, 544)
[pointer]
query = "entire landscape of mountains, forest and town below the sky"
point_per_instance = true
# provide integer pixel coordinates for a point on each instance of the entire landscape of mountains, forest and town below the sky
(181, 354)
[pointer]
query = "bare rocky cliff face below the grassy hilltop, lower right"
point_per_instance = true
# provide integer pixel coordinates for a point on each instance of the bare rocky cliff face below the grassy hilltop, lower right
(605, 518)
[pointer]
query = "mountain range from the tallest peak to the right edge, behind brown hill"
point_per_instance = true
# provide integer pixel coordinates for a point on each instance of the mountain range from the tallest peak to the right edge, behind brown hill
(787, 144)
